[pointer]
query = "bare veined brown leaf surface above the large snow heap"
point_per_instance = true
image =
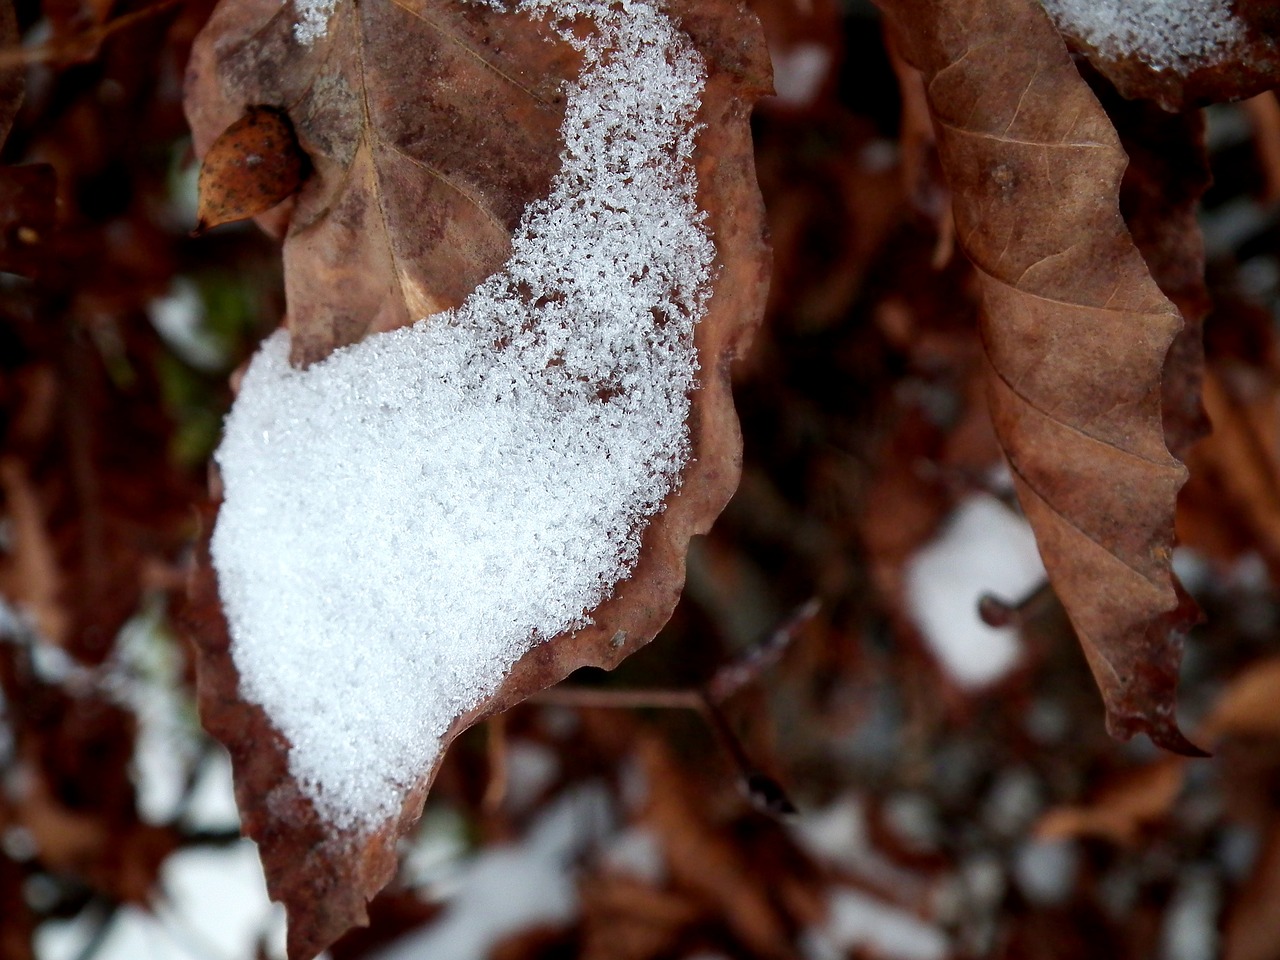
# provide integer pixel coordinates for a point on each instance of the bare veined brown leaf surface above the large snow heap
(414, 199)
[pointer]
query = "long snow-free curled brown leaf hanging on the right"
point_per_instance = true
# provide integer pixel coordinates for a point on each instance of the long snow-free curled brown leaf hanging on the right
(1076, 333)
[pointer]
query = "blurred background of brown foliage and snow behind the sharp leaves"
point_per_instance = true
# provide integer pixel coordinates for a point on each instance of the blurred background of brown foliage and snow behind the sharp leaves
(956, 792)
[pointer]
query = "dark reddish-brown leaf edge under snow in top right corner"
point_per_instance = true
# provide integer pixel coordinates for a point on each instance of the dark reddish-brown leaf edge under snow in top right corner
(1249, 67)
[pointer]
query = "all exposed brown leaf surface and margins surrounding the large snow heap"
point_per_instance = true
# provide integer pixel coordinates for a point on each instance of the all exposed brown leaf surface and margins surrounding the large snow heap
(431, 127)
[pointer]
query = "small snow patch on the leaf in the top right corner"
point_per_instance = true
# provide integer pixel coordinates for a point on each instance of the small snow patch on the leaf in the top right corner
(1168, 35)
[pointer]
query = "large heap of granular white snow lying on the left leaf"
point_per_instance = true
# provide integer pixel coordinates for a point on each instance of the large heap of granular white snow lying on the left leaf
(406, 519)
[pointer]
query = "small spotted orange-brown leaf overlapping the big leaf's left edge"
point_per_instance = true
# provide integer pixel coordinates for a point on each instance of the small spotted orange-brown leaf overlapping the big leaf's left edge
(253, 167)
